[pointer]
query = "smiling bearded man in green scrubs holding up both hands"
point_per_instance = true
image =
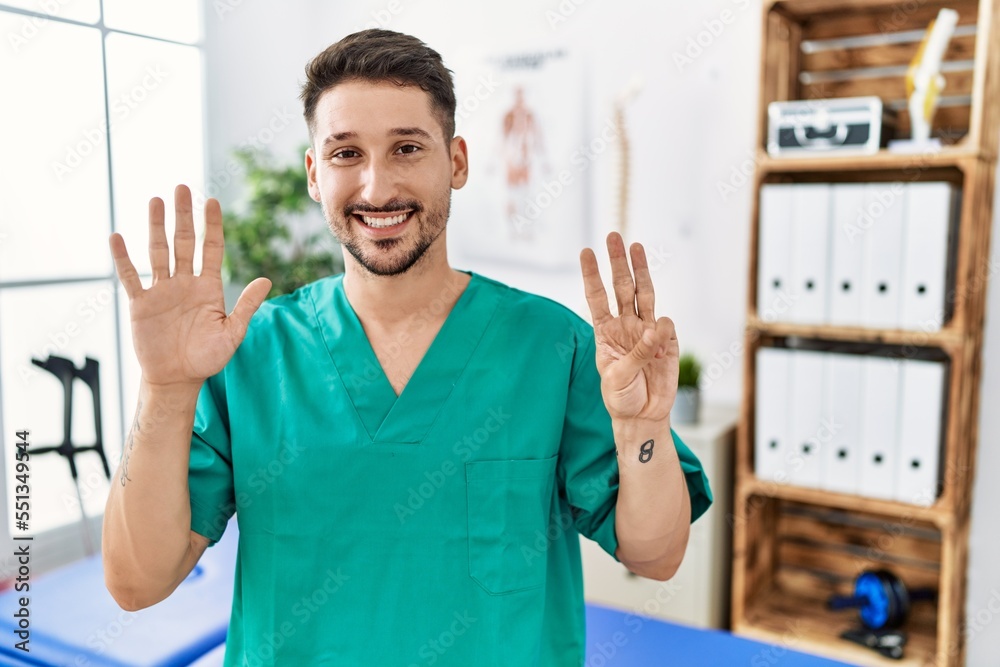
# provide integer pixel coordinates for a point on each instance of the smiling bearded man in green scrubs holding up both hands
(411, 450)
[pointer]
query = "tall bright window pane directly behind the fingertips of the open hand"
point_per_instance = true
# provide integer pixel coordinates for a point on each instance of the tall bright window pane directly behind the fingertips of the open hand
(156, 134)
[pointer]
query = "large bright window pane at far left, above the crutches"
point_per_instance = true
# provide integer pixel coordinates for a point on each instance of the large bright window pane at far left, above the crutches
(55, 222)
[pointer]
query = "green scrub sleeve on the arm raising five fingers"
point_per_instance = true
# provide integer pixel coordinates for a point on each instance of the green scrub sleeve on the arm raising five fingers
(210, 471)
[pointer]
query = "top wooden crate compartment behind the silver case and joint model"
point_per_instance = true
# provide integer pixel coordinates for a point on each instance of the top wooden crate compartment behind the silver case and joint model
(801, 35)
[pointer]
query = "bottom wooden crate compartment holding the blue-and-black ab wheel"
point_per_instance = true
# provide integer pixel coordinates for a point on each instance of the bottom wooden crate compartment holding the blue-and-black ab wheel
(815, 551)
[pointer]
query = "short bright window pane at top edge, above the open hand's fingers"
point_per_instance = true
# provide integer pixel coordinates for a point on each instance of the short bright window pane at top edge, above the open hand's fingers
(179, 20)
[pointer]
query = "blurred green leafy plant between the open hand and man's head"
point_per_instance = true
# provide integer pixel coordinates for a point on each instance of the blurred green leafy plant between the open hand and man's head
(259, 239)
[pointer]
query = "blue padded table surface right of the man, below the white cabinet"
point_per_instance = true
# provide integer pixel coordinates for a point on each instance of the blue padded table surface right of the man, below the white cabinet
(622, 639)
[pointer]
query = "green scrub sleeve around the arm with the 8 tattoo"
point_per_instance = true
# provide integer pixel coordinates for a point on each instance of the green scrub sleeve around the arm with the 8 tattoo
(588, 466)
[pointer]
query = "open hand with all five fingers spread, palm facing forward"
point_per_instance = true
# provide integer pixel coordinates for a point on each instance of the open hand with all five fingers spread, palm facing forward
(180, 329)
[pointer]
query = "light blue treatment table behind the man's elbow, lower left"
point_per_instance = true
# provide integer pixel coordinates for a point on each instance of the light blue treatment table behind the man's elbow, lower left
(76, 623)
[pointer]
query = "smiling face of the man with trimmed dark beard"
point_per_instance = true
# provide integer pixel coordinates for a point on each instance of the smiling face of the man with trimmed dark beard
(381, 169)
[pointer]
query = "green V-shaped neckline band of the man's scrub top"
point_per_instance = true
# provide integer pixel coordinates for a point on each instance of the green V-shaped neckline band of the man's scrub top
(408, 417)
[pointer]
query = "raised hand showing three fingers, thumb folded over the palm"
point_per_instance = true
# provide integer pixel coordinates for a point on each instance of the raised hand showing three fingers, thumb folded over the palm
(637, 354)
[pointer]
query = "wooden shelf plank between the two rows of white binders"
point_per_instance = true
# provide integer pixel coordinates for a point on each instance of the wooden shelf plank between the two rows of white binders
(947, 339)
